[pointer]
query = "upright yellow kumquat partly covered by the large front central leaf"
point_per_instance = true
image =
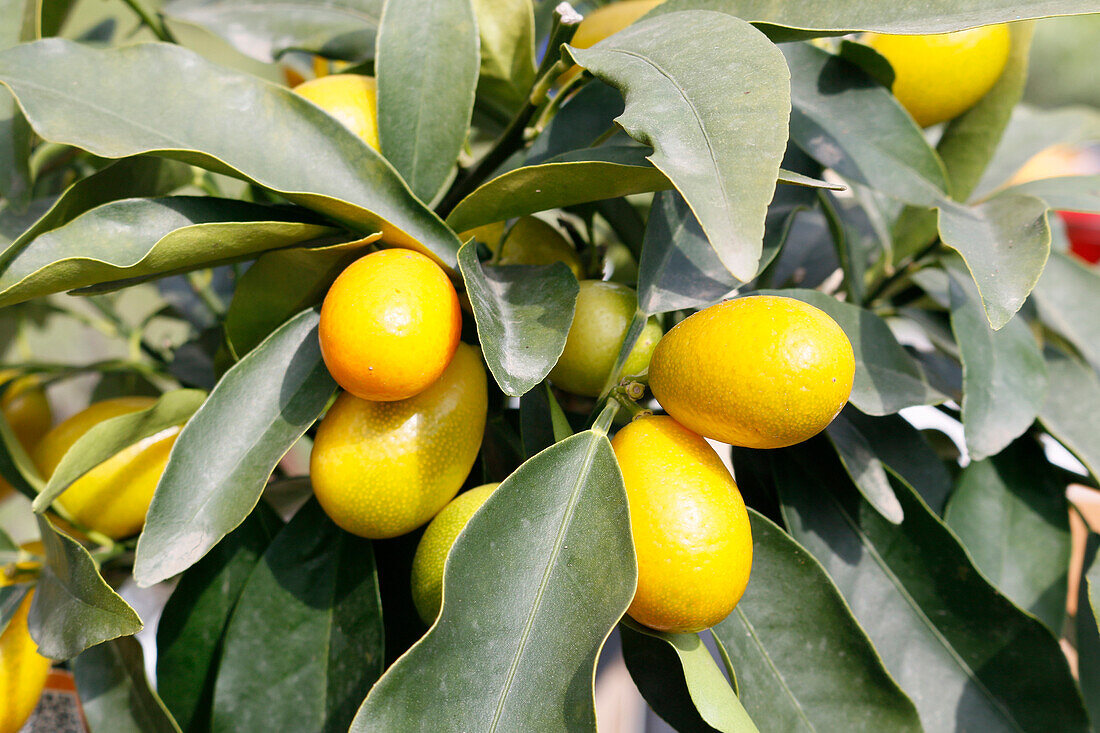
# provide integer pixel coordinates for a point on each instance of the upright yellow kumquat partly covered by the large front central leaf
(691, 530)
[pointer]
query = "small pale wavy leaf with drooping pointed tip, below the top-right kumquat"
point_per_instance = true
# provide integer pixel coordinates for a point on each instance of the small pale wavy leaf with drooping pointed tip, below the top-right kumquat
(1005, 244)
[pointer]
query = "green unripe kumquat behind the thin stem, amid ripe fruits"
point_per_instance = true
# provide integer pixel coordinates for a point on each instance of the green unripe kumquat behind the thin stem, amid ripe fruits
(600, 324)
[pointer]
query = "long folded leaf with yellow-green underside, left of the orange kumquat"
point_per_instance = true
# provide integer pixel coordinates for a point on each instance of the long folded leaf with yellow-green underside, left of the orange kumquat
(141, 238)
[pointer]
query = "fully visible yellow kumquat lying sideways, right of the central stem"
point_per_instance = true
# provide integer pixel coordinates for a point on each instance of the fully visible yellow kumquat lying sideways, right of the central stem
(763, 371)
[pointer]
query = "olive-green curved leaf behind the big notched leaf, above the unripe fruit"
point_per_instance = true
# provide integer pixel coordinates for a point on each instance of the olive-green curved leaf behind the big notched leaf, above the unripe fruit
(575, 178)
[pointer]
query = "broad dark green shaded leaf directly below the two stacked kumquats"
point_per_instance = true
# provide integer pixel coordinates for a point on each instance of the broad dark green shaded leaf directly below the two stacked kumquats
(316, 592)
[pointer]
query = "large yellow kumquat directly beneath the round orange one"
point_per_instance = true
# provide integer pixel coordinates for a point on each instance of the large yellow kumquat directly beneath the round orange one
(382, 469)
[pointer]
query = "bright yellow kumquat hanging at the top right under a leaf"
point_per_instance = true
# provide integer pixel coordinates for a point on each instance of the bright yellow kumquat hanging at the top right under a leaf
(939, 78)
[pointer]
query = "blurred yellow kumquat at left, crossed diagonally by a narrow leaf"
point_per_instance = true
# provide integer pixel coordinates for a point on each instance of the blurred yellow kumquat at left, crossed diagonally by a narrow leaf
(114, 497)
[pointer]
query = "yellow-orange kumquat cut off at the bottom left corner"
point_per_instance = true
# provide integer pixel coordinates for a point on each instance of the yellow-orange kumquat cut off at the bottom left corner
(24, 671)
